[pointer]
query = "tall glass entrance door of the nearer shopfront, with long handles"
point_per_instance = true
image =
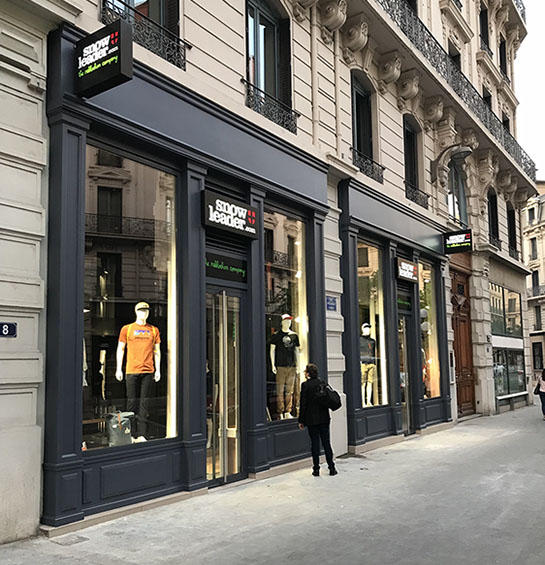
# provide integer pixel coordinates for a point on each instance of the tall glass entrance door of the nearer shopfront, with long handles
(223, 386)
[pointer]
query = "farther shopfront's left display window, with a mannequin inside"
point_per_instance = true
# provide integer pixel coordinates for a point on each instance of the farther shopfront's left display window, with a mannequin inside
(374, 385)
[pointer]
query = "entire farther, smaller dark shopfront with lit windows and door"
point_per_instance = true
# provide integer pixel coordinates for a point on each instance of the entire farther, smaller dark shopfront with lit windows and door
(395, 339)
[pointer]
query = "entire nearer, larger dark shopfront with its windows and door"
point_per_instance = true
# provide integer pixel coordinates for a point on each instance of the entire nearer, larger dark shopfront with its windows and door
(145, 216)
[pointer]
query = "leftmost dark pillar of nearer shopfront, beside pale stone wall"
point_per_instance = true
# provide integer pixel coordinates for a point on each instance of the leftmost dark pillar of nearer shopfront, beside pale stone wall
(63, 463)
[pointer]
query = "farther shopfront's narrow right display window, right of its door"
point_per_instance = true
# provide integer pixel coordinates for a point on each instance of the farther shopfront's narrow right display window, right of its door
(431, 371)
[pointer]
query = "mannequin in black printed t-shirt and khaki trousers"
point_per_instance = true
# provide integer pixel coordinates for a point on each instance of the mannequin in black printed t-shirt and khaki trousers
(284, 354)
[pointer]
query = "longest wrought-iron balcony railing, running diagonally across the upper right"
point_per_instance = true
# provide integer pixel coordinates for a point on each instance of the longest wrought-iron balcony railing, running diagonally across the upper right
(417, 32)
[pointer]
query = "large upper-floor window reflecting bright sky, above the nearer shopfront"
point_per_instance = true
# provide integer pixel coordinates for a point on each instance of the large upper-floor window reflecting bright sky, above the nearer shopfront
(268, 63)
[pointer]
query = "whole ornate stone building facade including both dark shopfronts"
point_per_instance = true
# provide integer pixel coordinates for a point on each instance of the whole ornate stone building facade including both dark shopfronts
(373, 126)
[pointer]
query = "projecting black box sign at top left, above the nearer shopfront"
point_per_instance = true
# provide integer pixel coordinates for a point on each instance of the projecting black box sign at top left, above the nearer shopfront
(104, 59)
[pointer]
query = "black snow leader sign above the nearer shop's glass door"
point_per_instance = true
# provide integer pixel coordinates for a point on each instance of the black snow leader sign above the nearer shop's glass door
(230, 215)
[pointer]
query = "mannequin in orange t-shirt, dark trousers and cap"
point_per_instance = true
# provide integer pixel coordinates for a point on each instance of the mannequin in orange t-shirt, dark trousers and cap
(142, 344)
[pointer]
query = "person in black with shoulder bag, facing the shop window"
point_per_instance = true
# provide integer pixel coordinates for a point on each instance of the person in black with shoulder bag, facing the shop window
(315, 417)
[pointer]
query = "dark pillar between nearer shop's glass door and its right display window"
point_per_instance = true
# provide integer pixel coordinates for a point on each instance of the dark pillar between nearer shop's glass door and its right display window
(258, 457)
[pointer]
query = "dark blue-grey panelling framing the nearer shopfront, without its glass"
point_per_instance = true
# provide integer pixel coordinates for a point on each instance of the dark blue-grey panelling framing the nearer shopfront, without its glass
(201, 137)
